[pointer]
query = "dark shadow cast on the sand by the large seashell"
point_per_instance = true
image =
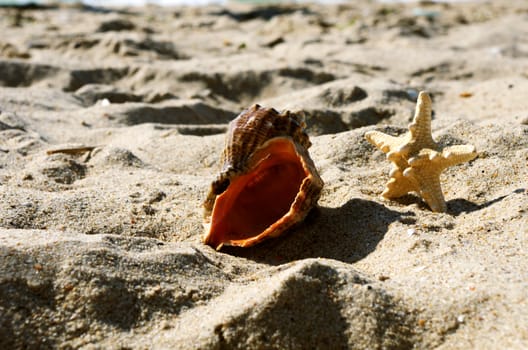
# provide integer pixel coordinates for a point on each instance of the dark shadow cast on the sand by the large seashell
(347, 233)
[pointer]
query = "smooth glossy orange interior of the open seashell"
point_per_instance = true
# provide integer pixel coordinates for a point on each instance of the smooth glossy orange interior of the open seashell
(256, 203)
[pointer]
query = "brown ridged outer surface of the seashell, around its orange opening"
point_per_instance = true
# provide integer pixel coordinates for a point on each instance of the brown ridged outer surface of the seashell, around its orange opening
(247, 133)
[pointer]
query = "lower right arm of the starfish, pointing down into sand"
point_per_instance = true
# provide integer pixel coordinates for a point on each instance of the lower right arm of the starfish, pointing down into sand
(429, 187)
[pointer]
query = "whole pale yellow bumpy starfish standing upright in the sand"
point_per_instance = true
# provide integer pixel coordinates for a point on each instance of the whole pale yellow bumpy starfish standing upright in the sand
(417, 160)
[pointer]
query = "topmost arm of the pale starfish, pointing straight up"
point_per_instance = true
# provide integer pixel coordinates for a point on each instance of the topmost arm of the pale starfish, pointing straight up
(420, 128)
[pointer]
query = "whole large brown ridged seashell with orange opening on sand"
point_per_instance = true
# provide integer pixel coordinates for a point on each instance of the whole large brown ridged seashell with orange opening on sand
(268, 182)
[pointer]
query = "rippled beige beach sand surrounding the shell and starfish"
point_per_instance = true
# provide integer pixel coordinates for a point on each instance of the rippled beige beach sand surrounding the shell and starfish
(111, 127)
